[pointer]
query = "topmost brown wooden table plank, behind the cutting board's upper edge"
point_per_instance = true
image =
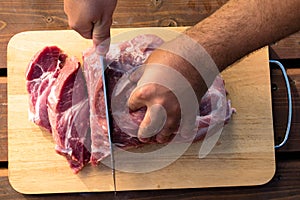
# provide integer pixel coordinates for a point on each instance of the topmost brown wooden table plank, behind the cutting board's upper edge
(24, 15)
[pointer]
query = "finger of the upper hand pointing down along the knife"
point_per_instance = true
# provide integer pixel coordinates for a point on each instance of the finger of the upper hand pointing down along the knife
(101, 36)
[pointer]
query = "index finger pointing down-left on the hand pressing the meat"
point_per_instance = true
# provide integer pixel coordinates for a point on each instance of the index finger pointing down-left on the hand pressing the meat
(153, 121)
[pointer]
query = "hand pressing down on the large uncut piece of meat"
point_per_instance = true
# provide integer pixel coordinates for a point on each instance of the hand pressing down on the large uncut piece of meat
(164, 123)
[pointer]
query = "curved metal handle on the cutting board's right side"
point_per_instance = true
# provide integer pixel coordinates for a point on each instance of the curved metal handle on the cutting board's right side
(288, 87)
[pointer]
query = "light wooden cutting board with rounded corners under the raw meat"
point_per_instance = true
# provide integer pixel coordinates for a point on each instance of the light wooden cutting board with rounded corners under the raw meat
(244, 154)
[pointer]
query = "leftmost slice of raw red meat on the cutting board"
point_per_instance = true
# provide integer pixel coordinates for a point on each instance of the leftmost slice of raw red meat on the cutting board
(41, 74)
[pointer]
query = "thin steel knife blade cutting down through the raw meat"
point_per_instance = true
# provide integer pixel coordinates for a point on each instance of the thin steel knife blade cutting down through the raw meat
(103, 65)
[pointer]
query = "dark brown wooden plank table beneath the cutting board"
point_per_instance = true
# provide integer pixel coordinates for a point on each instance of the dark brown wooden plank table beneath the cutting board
(18, 15)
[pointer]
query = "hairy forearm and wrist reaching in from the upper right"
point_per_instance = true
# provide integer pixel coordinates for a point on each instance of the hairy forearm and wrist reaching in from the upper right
(235, 30)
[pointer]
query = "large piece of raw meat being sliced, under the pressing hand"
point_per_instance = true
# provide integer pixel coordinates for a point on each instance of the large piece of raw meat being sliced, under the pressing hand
(122, 58)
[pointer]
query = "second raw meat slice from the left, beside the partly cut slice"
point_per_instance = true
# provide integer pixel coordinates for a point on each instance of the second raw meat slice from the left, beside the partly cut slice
(68, 110)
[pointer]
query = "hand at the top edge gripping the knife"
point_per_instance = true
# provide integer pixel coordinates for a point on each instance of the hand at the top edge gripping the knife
(92, 19)
